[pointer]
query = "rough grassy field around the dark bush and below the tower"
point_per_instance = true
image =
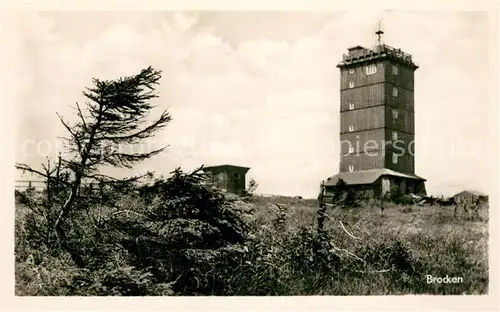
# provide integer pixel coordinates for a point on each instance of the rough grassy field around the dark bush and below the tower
(367, 253)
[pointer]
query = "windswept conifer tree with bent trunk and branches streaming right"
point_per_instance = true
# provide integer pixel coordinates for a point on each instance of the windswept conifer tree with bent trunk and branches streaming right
(114, 117)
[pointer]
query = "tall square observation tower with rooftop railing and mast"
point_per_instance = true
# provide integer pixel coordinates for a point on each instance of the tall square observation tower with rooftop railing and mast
(377, 121)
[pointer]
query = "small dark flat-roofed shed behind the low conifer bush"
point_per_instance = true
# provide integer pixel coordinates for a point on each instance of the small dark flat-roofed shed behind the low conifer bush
(229, 177)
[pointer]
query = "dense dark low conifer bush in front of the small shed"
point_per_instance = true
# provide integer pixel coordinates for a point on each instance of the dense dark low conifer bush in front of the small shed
(184, 231)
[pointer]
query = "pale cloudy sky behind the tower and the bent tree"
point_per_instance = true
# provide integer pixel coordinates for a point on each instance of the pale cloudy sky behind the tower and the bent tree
(261, 89)
